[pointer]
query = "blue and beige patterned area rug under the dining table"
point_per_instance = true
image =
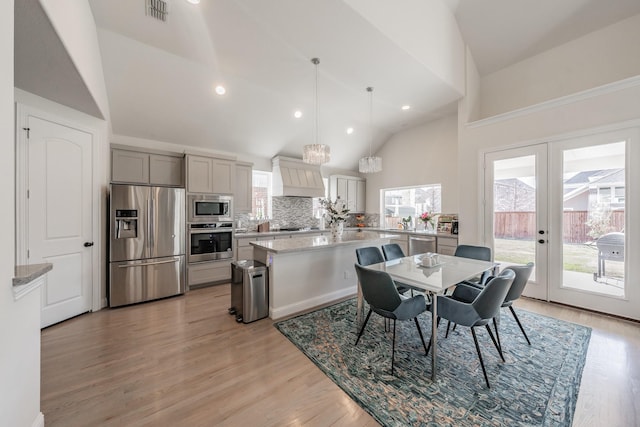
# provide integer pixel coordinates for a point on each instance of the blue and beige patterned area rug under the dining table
(537, 386)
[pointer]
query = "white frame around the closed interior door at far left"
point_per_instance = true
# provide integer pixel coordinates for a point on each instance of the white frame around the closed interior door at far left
(23, 112)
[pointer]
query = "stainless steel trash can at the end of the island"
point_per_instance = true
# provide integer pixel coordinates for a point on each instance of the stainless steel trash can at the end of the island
(249, 291)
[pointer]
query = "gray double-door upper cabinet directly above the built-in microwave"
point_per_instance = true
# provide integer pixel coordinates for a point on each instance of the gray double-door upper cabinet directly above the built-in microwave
(210, 175)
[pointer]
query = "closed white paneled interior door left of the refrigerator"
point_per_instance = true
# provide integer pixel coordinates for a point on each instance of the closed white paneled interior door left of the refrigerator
(60, 216)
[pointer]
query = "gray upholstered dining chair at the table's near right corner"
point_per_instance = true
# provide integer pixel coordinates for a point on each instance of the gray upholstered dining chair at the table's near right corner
(478, 312)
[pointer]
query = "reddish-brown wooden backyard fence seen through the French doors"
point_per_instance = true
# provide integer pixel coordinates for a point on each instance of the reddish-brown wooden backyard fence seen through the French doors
(522, 225)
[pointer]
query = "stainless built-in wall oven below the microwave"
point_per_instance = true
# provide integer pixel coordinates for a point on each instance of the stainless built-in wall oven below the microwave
(210, 241)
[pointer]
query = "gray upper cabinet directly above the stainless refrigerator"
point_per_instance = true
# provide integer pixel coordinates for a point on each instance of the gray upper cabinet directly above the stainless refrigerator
(136, 167)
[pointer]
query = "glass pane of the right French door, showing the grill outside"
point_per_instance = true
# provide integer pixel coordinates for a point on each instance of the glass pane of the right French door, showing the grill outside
(593, 218)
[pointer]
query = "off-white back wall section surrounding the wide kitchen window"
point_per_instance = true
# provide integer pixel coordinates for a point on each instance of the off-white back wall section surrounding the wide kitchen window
(425, 154)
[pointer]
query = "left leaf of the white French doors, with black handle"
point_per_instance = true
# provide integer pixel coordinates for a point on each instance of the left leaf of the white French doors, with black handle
(516, 211)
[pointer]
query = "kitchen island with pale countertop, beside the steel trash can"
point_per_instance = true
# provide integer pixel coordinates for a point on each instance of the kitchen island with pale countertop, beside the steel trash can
(307, 272)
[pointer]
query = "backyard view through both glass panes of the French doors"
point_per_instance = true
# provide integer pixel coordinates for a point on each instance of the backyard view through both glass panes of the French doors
(593, 216)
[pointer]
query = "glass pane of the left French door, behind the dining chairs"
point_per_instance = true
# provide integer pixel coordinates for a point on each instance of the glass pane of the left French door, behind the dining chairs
(514, 217)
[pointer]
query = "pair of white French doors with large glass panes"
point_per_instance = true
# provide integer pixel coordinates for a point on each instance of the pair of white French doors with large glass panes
(564, 205)
